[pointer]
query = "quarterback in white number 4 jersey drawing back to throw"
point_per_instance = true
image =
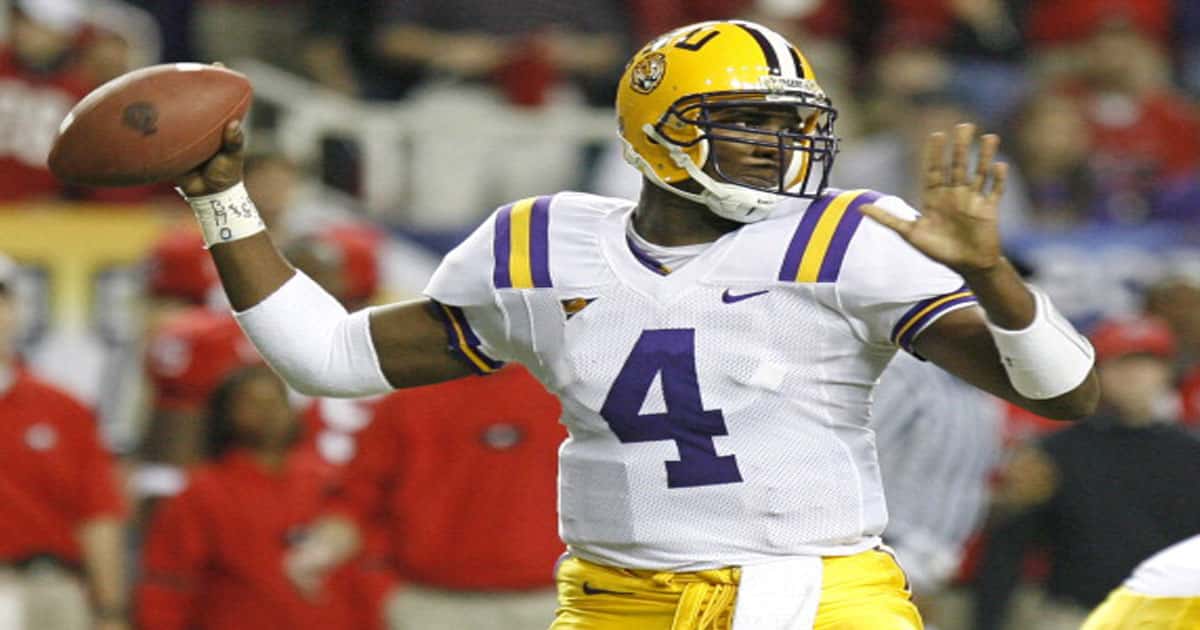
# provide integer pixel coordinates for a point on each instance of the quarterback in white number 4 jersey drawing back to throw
(715, 344)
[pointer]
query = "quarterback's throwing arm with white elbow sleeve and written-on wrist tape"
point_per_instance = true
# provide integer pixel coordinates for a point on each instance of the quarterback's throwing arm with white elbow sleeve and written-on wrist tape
(299, 328)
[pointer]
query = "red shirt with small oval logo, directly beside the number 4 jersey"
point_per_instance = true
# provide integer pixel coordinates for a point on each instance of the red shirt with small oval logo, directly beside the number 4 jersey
(464, 477)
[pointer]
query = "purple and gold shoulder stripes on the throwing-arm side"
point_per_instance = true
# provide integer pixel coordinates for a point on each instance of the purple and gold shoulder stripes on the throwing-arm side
(521, 245)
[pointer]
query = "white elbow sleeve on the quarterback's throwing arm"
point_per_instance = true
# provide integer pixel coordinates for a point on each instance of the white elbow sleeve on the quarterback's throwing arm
(310, 340)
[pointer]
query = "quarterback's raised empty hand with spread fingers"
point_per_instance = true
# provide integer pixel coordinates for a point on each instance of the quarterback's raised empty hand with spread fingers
(959, 225)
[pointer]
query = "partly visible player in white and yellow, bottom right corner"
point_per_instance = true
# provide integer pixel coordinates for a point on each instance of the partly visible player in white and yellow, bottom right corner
(1162, 593)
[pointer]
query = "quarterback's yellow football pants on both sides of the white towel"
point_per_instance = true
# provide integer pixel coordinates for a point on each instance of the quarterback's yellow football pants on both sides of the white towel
(862, 592)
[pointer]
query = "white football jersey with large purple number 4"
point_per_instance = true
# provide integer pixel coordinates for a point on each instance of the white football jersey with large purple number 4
(718, 413)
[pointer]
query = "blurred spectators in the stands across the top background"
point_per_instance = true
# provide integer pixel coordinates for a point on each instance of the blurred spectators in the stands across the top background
(1096, 98)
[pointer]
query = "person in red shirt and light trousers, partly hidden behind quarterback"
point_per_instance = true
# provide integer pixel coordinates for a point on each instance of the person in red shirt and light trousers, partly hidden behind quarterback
(461, 478)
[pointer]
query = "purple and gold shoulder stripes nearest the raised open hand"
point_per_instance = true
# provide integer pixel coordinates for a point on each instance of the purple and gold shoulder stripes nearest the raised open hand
(821, 239)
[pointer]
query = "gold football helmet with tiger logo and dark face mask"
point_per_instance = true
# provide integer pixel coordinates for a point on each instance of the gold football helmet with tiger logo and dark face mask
(673, 88)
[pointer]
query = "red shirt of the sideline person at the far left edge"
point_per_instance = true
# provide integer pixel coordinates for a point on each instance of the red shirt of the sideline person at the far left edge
(55, 472)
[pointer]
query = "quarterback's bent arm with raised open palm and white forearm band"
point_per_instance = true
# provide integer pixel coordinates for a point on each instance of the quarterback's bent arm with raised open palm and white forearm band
(1018, 347)
